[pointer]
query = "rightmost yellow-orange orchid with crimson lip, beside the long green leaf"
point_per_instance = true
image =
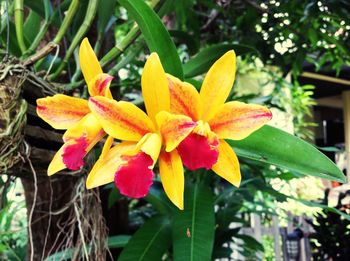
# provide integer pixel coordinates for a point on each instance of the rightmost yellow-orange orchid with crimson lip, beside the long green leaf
(216, 120)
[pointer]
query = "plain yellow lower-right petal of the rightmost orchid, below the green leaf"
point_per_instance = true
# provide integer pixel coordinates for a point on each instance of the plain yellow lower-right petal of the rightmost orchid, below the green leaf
(227, 165)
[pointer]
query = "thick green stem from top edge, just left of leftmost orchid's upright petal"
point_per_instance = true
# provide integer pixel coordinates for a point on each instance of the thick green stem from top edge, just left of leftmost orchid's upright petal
(89, 17)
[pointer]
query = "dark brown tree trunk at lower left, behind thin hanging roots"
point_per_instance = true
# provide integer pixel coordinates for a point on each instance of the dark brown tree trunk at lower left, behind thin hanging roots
(51, 211)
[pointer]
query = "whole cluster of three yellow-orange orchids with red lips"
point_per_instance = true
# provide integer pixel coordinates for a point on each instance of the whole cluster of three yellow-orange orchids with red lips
(181, 127)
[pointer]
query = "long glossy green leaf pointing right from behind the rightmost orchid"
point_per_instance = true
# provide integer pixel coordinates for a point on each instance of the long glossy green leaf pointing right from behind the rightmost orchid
(274, 146)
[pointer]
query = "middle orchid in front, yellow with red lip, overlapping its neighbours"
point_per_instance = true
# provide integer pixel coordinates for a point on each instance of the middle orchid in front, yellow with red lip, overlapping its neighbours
(130, 163)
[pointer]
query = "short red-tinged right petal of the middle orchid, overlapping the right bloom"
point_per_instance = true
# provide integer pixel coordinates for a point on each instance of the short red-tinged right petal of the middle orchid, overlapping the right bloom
(174, 128)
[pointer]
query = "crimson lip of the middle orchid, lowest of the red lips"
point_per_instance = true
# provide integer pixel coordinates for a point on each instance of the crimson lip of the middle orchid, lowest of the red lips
(134, 178)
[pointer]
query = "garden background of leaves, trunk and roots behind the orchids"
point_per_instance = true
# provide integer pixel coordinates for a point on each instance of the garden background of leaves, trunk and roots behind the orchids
(292, 56)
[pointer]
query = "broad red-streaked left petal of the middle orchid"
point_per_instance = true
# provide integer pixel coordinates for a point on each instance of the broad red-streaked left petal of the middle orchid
(122, 120)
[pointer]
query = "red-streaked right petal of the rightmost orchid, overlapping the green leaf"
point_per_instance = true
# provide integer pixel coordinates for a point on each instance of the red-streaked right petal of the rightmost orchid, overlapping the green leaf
(237, 120)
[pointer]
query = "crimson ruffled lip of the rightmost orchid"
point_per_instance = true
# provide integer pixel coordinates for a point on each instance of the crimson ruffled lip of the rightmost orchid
(196, 151)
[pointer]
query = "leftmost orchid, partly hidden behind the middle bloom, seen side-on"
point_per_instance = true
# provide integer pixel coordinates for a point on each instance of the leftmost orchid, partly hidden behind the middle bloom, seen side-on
(73, 114)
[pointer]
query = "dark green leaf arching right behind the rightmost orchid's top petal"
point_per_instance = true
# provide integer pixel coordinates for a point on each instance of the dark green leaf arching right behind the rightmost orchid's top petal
(205, 58)
